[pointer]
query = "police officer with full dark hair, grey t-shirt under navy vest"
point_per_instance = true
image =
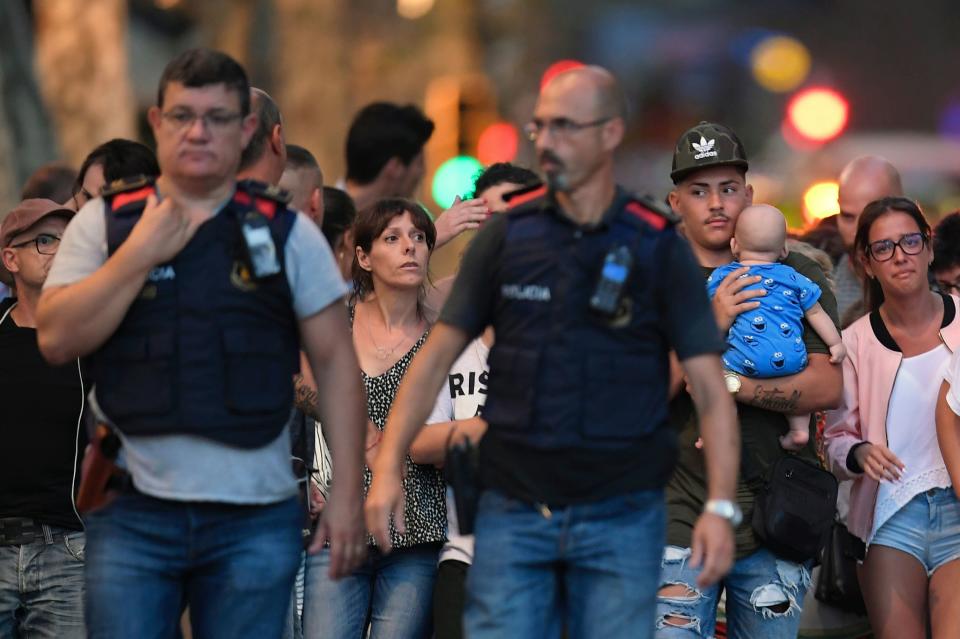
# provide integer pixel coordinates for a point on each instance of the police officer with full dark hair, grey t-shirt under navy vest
(191, 298)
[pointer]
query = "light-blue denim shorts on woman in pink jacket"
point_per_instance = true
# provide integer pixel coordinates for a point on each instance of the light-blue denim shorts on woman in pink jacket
(927, 527)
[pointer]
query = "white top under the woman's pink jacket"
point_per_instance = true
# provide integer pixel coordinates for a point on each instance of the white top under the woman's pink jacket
(912, 433)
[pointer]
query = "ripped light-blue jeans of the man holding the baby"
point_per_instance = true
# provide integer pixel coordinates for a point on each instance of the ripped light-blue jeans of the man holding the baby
(764, 598)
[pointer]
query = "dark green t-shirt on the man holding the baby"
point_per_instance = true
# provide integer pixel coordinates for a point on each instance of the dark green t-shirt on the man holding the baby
(760, 431)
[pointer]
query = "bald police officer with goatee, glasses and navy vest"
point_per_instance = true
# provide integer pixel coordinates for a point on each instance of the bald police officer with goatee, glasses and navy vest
(587, 289)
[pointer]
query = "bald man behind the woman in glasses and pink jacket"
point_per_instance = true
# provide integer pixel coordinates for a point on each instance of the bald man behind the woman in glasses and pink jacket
(863, 180)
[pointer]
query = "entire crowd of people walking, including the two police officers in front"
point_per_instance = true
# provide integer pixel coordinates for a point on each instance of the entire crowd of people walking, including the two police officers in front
(253, 375)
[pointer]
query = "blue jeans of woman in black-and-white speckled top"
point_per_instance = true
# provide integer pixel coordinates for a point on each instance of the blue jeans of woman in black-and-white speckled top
(390, 592)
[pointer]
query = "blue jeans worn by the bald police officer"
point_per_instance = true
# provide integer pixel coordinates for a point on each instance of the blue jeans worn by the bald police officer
(592, 567)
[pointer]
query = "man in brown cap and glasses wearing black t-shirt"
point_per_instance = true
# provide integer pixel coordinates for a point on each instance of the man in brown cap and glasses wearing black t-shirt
(41, 535)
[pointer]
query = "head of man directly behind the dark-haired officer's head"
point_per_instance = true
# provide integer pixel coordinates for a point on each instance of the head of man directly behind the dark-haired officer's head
(265, 157)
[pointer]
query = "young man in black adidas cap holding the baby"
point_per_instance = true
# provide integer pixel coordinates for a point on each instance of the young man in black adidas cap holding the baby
(764, 593)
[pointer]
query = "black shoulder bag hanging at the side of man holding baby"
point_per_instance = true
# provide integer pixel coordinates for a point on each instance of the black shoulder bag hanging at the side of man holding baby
(794, 510)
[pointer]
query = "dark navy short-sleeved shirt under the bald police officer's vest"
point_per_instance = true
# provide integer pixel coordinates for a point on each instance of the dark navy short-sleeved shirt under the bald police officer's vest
(575, 475)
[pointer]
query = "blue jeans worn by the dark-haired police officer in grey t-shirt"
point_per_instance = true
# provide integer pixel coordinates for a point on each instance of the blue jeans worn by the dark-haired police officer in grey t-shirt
(232, 565)
